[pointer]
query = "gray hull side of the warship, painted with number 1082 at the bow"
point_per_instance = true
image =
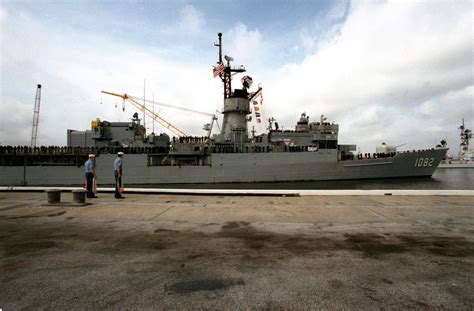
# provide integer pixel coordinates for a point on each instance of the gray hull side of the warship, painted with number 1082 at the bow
(234, 168)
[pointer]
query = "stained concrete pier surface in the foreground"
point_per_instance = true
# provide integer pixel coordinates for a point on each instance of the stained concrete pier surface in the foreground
(221, 251)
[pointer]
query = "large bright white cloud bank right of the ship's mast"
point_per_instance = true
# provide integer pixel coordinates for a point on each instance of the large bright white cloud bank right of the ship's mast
(388, 60)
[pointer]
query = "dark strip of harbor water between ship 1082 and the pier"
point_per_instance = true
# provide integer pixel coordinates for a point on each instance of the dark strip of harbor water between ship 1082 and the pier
(442, 179)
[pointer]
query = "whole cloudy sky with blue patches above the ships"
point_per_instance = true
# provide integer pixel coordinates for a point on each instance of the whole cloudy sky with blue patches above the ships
(385, 71)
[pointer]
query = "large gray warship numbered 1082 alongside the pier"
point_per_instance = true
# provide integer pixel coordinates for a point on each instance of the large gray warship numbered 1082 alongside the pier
(309, 152)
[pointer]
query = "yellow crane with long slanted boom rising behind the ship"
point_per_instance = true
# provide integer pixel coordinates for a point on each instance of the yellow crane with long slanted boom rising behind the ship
(134, 100)
